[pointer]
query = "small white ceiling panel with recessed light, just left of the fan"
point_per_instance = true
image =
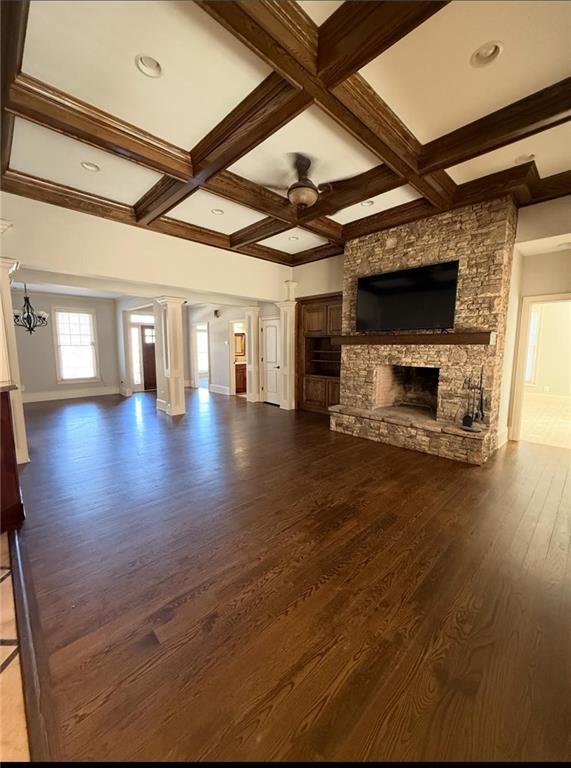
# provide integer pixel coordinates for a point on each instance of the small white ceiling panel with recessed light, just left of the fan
(197, 209)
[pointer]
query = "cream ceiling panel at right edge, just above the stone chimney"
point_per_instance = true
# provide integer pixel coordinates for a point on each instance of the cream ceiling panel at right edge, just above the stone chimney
(552, 150)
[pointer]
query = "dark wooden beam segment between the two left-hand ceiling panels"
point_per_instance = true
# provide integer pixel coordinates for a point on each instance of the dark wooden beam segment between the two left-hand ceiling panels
(47, 106)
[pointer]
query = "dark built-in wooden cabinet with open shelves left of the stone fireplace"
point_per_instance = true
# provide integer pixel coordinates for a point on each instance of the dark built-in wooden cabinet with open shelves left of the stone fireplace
(318, 359)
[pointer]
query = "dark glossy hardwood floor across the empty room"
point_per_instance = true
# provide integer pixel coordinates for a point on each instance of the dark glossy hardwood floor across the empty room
(241, 583)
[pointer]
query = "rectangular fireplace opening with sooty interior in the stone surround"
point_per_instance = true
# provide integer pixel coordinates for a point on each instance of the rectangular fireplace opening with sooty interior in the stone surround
(407, 387)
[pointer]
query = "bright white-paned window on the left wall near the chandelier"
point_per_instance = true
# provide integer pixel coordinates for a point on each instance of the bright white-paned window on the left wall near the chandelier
(75, 345)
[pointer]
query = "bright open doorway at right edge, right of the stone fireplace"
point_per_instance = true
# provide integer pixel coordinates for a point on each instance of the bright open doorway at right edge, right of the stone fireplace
(543, 395)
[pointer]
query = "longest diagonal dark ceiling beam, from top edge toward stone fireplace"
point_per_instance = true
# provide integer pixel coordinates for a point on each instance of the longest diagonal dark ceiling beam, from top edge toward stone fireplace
(373, 134)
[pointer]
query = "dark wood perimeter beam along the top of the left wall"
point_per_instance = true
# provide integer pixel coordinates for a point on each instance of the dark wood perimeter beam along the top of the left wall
(73, 199)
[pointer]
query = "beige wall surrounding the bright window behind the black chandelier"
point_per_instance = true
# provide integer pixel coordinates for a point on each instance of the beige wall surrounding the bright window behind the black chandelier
(36, 351)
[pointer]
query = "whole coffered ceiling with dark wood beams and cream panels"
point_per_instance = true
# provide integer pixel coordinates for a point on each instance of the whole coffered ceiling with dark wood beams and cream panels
(382, 96)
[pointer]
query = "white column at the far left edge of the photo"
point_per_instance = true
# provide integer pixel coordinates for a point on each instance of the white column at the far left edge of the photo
(10, 366)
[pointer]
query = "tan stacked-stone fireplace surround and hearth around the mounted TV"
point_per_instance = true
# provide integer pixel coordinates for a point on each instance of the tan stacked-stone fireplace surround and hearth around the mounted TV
(481, 238)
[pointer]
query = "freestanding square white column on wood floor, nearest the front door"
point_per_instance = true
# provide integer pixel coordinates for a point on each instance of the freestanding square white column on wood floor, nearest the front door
(169, 355)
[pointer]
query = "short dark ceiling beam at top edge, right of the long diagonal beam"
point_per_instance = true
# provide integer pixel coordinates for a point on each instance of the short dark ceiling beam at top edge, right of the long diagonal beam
(360, 31)
